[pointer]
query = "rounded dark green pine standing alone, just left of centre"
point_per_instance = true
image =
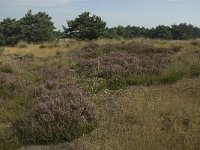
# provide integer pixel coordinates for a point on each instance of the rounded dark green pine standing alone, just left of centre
(85, 27)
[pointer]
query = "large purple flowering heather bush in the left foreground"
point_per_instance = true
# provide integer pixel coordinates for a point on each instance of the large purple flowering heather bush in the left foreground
(58, 115)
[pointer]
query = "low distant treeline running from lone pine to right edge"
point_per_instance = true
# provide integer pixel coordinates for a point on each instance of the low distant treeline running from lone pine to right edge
(182, 31)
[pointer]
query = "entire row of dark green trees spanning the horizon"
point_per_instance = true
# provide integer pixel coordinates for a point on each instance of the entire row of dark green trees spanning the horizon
(39, 27)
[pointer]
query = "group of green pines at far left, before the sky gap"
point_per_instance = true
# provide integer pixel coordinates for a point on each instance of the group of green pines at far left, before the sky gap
(30, 28)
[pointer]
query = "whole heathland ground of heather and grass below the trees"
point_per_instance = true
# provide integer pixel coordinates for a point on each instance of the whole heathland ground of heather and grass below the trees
(138, 93)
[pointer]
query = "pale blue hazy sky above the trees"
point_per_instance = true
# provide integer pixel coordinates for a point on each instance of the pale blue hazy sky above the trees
(146, 13)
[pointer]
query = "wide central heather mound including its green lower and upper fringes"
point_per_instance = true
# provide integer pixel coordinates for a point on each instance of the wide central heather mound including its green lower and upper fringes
(122, 64)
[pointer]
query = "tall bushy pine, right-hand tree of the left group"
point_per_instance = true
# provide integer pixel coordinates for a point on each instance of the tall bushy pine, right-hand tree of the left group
(37, 27)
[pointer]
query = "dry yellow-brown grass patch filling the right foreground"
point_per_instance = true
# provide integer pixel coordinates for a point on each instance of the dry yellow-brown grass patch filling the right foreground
(149, 118)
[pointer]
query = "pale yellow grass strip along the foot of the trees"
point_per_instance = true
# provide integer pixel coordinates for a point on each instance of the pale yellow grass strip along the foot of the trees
(66, 45)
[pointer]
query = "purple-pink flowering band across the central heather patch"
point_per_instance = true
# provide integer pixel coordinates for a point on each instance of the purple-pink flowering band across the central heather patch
(123, 63)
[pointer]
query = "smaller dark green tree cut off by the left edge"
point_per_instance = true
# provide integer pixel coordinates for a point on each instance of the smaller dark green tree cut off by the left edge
(10, 32)
